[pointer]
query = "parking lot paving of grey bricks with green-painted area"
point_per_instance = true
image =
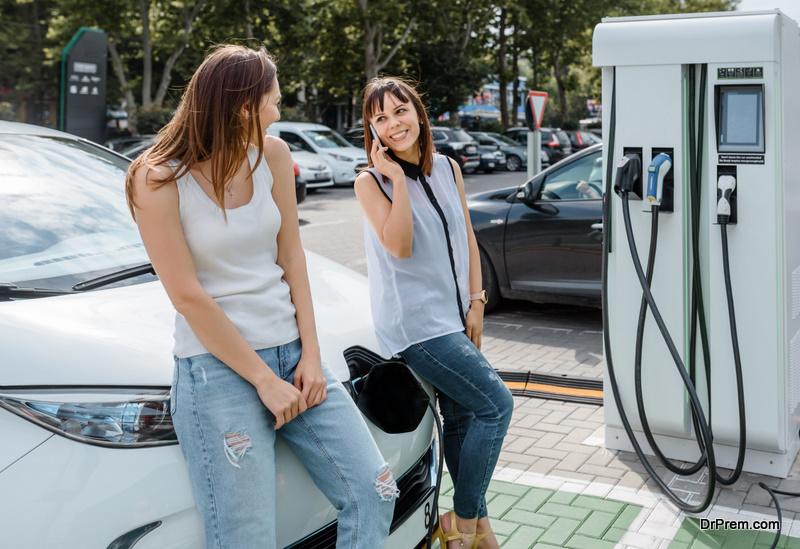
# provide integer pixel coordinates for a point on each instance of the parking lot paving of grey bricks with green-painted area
(556, 485)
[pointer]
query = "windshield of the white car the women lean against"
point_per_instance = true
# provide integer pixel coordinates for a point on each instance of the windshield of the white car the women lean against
(63, 216)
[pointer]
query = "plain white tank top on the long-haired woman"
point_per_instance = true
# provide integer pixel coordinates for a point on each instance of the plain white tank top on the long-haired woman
(236, 263)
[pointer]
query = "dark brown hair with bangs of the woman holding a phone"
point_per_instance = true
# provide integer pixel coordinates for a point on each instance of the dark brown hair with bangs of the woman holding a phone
(406, 92)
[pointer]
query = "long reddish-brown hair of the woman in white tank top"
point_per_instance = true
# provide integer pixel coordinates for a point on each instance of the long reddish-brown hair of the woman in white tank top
(208, 124)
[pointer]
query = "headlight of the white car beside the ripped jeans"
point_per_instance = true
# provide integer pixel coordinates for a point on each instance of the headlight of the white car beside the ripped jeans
(124, 419)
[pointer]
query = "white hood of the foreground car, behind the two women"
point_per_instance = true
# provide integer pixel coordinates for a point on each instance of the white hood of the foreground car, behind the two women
(123, 336)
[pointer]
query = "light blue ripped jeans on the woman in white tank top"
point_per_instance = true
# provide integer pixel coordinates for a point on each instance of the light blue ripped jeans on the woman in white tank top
(227, 437)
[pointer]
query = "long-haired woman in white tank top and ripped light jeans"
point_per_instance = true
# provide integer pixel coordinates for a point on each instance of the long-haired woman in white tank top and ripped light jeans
(215, 204)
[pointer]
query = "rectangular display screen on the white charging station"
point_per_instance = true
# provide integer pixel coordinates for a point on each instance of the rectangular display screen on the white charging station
(741, 119)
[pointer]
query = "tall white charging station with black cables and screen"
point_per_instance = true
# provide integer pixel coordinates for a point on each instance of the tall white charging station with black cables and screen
(719, 95)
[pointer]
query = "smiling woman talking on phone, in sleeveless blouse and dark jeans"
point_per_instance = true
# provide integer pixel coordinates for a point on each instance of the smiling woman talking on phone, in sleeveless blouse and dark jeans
(425, 290)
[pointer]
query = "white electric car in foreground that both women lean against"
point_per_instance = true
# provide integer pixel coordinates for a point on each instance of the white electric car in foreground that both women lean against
(88, 455)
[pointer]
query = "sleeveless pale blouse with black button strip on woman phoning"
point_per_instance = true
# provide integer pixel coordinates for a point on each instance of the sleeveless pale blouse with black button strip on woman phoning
(426, 295)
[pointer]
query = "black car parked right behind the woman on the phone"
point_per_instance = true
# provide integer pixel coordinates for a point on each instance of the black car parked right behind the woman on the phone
(542, 241)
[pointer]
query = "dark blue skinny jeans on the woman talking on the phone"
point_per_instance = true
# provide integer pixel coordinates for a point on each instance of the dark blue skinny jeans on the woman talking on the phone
(476, 410)
